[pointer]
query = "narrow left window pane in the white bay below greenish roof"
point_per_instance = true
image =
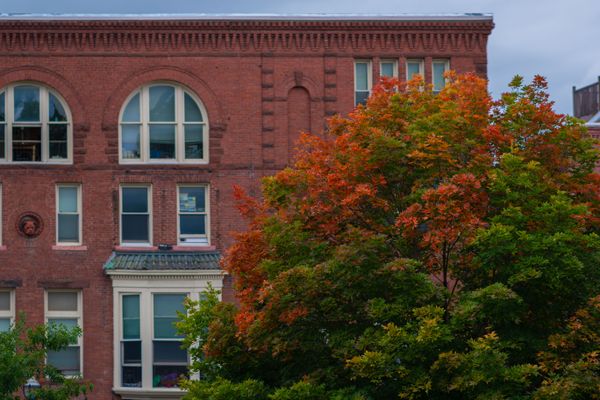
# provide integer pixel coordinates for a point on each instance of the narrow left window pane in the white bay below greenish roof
(131, 342)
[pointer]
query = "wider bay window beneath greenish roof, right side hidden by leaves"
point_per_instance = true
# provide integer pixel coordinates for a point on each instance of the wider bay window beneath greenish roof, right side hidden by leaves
(169, 360)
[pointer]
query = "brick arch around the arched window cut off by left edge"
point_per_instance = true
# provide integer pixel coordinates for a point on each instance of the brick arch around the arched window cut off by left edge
(58, 83)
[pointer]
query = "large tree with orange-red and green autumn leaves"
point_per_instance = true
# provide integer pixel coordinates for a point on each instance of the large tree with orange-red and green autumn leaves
(431, 246)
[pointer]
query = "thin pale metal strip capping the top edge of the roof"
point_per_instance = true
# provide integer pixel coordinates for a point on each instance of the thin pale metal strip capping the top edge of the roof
(247, 17)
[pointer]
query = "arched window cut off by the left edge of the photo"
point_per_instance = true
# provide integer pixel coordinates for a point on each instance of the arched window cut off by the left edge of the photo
(35, 125)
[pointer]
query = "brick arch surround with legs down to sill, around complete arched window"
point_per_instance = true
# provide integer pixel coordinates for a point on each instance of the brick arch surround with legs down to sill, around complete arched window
(110, 117)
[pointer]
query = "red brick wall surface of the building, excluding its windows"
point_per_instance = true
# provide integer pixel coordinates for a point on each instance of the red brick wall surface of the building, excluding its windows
(260, 80)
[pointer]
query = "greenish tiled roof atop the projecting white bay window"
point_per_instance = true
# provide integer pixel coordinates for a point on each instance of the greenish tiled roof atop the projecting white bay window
(163, 260)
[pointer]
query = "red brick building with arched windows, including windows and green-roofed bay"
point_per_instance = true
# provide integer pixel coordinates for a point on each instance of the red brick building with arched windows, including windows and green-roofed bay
(121, 138)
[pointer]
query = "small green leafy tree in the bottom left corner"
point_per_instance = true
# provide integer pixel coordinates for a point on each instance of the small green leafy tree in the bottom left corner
(23, 352)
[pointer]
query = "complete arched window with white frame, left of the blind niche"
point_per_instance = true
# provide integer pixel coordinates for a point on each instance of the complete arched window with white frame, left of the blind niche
(163, 122)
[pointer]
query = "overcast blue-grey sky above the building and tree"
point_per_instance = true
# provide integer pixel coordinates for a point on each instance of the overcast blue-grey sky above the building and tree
(559, 39)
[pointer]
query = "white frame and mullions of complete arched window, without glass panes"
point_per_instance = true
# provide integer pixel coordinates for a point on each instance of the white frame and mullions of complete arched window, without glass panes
(179, 123)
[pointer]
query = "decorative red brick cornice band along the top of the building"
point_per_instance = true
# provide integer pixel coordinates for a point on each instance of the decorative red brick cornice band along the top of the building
(141, 36)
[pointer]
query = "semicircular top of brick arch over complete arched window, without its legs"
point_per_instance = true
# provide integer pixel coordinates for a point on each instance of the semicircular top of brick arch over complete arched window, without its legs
(183, 77)
